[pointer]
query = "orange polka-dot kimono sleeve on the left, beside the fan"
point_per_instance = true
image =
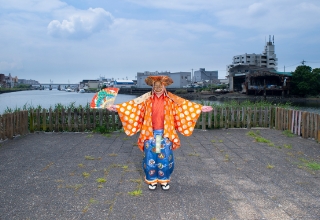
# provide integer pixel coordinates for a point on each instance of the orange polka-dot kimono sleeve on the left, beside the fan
(131, 116)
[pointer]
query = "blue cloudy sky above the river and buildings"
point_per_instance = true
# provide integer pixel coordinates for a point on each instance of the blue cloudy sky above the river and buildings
(72, 40)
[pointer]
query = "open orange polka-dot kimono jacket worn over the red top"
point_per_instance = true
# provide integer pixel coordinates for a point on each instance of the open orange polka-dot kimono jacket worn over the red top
(179, 115)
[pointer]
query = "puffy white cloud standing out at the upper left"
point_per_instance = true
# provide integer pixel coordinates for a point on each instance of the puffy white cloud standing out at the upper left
(81, 24)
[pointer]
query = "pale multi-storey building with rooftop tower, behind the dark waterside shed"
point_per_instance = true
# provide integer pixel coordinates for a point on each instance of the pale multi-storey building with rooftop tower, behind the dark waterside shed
(244, 64)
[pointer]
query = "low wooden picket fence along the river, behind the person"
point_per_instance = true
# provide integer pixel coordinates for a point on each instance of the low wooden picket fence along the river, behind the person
(301, 123)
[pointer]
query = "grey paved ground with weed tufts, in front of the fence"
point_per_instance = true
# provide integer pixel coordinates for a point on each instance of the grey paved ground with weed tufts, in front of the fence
(219, 174)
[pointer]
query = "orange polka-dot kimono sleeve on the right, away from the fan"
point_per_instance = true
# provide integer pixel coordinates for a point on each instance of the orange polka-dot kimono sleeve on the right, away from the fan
(186, 116)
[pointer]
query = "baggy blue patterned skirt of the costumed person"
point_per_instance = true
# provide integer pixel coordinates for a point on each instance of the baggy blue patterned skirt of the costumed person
(158, 166)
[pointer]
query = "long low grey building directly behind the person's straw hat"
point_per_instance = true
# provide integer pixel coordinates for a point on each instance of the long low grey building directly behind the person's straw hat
(180, 79)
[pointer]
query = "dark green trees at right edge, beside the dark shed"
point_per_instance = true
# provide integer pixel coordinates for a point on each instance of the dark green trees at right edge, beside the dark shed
(306, 81)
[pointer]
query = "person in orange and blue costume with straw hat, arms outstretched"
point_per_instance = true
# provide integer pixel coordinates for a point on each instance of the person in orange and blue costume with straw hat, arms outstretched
(158, 115)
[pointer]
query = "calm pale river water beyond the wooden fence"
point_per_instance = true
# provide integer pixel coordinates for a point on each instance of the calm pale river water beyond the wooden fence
(49, 98)
